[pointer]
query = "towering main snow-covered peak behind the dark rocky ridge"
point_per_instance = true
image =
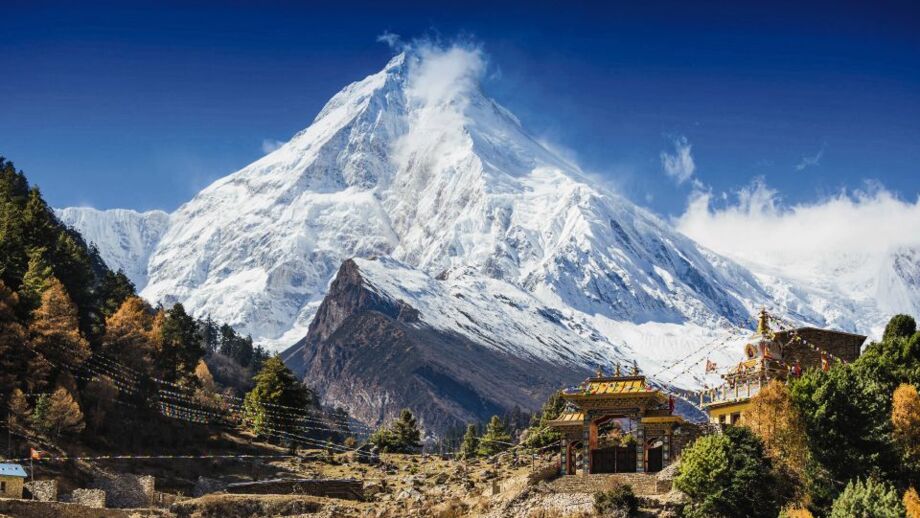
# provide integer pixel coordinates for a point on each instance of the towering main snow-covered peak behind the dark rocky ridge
(418, 164)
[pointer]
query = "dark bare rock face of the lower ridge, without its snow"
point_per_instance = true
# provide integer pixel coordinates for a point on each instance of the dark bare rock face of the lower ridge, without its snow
(376, 355)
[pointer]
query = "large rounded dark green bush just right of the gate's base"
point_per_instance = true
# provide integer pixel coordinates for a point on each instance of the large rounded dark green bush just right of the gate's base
(728, 475)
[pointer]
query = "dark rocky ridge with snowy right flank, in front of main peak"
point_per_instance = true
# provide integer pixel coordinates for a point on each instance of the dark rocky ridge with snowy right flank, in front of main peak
(462, 353)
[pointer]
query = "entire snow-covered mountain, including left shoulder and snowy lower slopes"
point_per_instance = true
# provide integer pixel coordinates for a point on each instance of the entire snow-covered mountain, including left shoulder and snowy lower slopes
(417, 166)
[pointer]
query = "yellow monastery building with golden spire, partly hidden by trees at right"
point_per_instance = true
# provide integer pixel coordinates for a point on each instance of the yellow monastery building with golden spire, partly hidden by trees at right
(770, 355)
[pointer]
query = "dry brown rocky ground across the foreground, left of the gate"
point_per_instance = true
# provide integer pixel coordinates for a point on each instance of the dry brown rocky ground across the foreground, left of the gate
(400, 485)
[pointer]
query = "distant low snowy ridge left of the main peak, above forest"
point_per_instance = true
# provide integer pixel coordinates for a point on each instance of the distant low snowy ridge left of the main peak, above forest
(125, 238)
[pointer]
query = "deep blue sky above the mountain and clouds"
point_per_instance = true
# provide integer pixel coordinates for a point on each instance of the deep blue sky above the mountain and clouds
(126, 105)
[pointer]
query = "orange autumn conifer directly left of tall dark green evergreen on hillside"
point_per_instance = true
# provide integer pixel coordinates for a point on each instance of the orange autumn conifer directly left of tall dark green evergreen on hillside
(129, 335)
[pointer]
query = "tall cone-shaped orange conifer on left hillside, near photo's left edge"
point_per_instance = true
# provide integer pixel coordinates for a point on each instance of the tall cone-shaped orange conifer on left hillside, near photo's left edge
(55, 330)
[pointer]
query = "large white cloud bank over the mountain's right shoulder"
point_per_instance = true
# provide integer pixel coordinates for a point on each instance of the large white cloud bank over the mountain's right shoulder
(755, 226)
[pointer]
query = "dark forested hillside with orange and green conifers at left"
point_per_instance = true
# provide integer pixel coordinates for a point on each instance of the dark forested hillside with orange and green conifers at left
(84, 360)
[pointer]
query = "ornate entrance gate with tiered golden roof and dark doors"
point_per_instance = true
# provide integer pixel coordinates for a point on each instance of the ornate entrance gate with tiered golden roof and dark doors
(619, 424)
